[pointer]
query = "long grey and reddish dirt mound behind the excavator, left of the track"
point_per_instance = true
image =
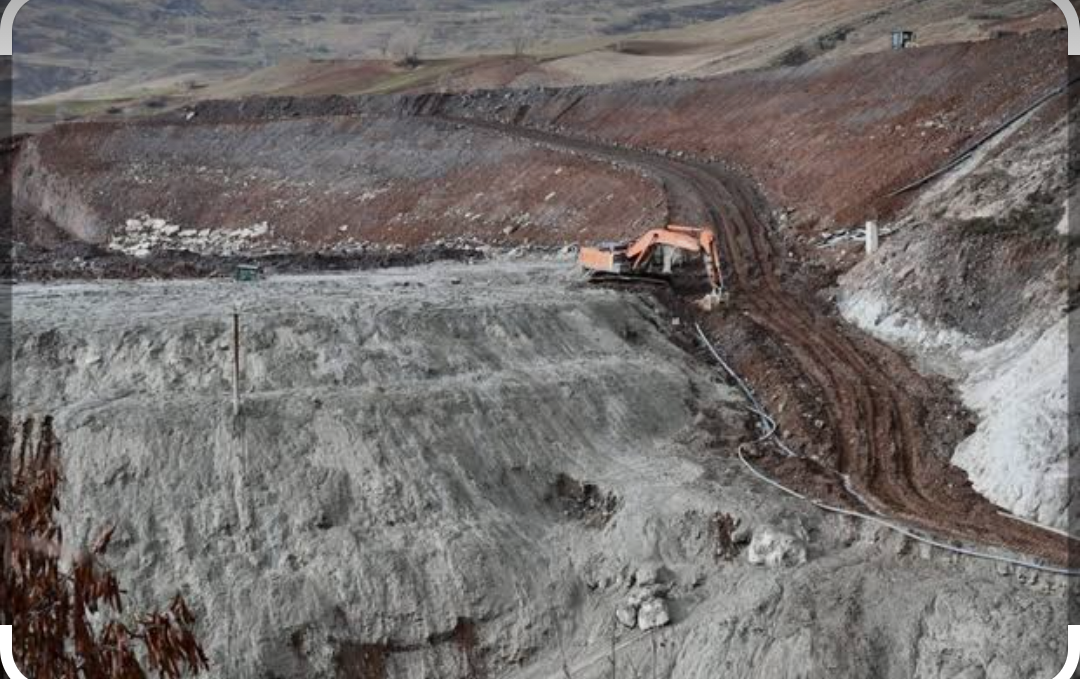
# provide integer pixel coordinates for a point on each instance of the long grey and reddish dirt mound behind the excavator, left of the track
(323, 183)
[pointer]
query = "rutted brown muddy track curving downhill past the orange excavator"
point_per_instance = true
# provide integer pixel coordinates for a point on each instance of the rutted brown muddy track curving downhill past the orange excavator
(886, 429)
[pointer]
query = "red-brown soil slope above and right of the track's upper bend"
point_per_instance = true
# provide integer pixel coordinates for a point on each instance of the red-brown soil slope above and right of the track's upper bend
(830, 140)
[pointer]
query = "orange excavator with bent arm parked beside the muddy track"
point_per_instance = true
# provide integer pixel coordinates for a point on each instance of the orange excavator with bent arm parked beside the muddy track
(657, 252)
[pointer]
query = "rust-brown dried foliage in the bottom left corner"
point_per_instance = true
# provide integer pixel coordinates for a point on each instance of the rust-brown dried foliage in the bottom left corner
(66, 608)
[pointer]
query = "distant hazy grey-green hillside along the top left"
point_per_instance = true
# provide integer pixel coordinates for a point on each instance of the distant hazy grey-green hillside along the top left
(65, 44)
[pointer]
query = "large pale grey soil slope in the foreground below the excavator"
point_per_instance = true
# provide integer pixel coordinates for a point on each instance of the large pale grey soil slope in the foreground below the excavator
(398, 498)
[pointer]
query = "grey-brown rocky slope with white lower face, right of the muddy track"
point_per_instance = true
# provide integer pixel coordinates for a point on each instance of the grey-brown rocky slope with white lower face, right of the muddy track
(975, 283)
